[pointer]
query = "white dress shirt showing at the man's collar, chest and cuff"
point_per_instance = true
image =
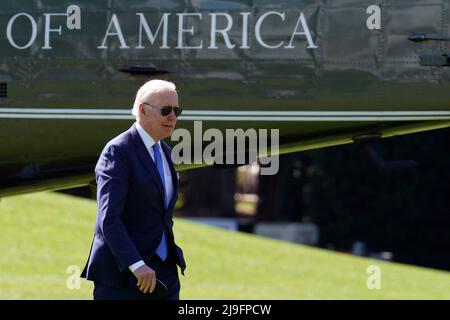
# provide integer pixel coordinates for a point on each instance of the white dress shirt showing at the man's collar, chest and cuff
(149, 142)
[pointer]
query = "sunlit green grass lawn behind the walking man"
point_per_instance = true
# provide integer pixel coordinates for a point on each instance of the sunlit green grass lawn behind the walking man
(42, 234)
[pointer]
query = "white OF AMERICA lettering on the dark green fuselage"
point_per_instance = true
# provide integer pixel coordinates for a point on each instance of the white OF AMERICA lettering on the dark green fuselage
(224, 30)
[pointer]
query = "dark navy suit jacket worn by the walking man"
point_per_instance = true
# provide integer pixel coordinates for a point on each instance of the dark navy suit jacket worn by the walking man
(131, 215)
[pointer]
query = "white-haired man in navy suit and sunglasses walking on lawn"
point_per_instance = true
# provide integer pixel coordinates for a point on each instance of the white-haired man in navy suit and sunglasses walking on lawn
(137, 188)
